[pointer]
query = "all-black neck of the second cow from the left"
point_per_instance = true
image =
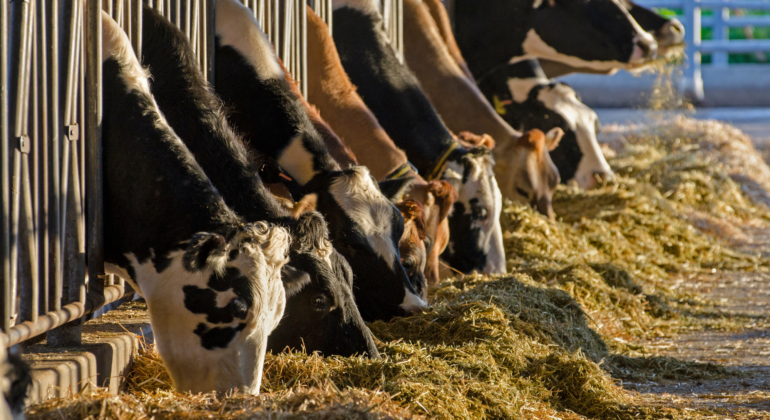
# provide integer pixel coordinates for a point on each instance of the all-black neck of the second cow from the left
(199, 120)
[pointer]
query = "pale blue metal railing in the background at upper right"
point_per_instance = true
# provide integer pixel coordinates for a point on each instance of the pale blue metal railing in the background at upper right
(720, 21)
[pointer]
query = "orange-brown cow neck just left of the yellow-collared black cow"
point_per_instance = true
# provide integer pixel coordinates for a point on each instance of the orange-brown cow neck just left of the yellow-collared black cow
(330, 89)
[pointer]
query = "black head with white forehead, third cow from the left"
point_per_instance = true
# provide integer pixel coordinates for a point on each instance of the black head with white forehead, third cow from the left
(366, 231)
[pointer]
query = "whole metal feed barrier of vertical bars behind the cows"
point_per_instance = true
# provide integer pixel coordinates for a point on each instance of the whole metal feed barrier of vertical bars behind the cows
(51, 244)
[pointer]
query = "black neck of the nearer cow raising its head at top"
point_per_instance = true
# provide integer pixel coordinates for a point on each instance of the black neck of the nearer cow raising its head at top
(489, 39)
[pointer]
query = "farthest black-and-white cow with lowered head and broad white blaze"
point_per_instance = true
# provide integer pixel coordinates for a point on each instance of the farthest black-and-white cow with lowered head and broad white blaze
(527, 99)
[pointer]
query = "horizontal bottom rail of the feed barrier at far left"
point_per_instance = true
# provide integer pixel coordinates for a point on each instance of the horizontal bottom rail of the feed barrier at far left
(54, 319)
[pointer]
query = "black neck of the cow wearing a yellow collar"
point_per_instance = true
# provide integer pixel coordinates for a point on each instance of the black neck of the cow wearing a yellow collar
(390, 90)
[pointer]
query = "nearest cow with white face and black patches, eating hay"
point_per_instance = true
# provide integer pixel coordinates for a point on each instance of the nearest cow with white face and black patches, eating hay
(212, 282)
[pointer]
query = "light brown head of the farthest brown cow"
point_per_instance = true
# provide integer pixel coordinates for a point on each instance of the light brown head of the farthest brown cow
(527, 175)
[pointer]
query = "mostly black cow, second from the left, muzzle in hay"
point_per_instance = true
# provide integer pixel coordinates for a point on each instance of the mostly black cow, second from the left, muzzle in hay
(318, 279)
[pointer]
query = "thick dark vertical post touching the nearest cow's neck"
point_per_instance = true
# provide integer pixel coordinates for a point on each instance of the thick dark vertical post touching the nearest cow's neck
(93, 137)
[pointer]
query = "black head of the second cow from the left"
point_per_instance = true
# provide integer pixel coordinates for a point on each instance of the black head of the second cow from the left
(321, 314)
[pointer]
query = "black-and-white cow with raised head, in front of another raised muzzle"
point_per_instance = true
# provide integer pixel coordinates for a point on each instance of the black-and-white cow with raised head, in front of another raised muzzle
(594, 34)
